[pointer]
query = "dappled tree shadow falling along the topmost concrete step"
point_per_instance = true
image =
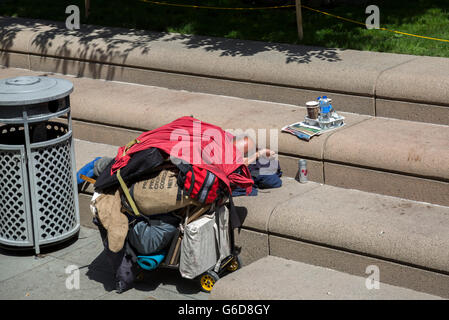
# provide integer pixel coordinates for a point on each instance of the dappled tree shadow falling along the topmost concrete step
(106, 46)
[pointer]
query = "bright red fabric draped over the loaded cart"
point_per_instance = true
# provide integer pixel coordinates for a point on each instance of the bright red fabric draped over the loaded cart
(204, 151)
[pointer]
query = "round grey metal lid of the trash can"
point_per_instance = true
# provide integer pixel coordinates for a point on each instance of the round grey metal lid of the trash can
(26, 90)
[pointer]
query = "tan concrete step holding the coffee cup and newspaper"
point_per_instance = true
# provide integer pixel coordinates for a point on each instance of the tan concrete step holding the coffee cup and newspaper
(391, 157)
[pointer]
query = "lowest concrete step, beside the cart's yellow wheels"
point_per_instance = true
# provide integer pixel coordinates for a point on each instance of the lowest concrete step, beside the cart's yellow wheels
(273, 278)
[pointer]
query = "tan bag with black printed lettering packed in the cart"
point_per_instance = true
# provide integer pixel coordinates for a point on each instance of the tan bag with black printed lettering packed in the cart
(157, 194)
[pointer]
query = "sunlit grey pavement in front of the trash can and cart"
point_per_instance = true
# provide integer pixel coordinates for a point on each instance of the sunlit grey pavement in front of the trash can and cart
(23, 276)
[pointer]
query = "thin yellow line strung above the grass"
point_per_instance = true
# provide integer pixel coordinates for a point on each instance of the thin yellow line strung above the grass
(290, 6)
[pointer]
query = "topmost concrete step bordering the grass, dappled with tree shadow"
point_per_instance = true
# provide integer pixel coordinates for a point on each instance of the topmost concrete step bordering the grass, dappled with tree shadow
(372, 83)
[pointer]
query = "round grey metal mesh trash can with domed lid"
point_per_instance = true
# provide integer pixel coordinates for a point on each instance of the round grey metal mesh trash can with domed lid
(38, 190)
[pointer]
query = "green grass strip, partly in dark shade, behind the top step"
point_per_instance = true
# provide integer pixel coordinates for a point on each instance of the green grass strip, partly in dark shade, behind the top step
(422, 17)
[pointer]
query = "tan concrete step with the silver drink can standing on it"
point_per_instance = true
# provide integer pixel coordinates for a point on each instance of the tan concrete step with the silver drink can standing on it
(343, 229)
